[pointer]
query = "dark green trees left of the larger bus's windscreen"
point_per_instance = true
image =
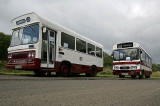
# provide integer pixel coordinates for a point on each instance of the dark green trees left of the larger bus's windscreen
(4, 43)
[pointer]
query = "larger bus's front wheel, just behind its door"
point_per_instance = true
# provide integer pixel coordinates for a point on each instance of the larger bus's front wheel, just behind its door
(65, 69)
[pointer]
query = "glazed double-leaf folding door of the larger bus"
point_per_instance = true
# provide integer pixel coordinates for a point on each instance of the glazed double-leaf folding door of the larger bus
(48, 48)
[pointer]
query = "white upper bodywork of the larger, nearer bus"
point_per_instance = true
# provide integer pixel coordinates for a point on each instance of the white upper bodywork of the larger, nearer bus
(69, 55)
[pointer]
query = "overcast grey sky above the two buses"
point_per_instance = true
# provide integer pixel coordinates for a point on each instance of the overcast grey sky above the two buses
(105, 21)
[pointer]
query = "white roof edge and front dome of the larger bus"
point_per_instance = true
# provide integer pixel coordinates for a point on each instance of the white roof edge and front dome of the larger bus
(53, 25)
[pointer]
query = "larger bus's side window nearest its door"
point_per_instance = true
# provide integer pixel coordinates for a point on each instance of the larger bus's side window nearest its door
(67, 41)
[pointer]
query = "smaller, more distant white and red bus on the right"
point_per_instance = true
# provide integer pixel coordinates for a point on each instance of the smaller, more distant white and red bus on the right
(131, 59)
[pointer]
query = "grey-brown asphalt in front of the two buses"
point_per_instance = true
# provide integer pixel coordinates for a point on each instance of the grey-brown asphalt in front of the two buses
(33, 91)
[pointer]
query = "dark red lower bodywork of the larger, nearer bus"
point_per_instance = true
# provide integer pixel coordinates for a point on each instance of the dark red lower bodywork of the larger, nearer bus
(21, 58)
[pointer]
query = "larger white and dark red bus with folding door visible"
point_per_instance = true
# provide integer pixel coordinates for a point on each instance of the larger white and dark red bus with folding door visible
(46, 47)
